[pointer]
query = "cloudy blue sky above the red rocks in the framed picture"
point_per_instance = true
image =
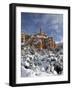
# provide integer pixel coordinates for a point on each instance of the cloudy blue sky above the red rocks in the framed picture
(51, 24)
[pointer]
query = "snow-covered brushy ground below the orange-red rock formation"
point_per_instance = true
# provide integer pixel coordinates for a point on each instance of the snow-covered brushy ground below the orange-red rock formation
(43, 62)
